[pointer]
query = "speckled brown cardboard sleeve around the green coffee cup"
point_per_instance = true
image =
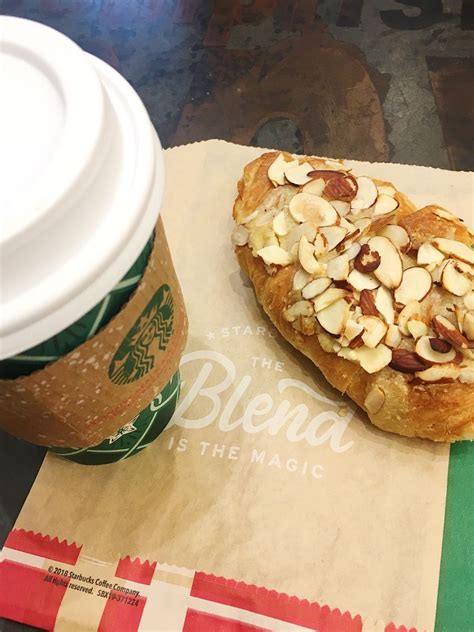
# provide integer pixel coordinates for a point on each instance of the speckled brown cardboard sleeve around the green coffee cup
(88, 394)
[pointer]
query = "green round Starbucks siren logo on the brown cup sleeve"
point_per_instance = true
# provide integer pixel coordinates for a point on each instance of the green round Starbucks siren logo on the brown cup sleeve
(135, 357)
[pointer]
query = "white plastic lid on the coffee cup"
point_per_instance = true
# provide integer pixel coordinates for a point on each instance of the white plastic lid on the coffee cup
(81, 182)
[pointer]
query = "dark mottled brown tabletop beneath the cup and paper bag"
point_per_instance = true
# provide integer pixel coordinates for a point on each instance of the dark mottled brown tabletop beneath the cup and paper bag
(374, 80)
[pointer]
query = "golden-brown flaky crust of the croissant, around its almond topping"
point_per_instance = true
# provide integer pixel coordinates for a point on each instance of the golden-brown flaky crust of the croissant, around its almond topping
(436, 411)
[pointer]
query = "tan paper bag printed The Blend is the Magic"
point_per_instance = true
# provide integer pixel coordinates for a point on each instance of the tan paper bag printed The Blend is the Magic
(265, 474)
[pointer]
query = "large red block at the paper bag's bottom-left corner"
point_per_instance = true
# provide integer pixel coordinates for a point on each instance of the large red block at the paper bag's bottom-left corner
(27, 595)
